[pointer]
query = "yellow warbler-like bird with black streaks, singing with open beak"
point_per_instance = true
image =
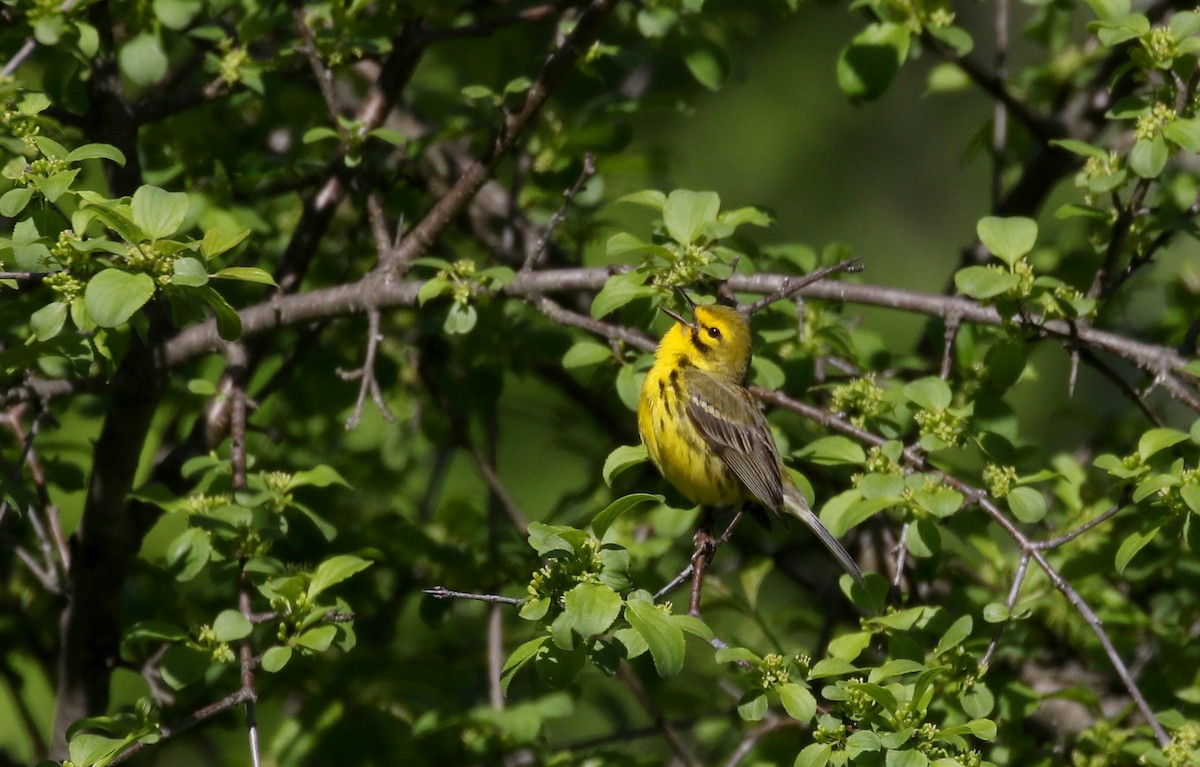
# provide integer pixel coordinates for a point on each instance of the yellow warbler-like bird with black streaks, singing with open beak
(703, 428)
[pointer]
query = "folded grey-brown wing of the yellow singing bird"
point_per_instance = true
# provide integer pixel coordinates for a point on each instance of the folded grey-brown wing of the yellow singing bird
(735, 429)
